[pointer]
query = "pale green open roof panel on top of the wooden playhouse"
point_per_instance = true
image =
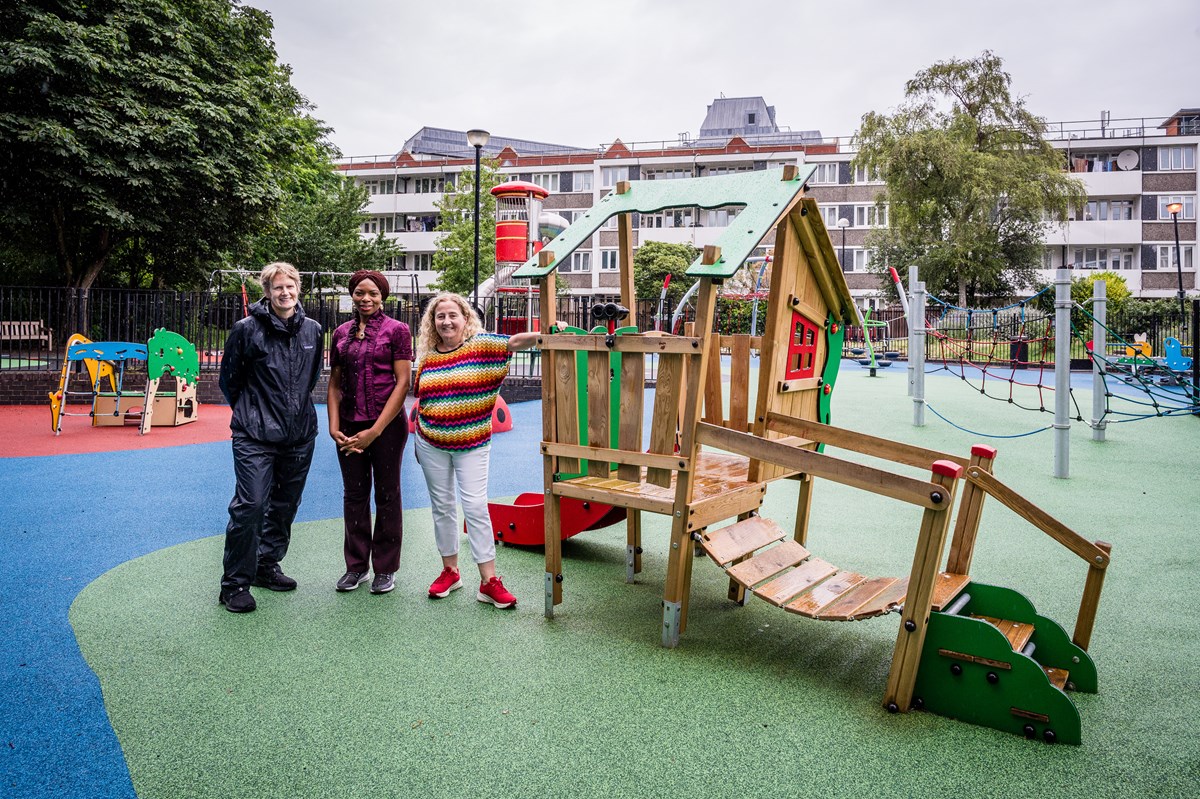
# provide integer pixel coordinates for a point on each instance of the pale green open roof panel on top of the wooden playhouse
(764, 195)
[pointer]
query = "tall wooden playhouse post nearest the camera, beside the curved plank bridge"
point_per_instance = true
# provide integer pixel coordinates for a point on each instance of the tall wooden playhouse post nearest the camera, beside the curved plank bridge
(675, 596)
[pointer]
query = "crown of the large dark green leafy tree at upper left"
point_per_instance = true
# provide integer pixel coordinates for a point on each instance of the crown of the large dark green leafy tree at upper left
(151, 130)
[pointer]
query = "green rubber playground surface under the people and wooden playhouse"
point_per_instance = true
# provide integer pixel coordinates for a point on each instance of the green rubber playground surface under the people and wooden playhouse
(328, 695)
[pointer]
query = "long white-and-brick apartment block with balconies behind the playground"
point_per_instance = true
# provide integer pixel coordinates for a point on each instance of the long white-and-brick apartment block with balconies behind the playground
(1135, 171)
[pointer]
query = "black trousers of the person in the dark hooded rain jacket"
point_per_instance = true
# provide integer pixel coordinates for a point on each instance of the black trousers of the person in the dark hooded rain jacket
(271, 480)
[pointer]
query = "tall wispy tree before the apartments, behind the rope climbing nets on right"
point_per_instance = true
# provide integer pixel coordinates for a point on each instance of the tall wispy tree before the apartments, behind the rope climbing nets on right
(970, 179)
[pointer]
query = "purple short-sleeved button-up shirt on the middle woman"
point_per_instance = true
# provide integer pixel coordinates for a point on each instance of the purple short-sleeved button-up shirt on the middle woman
(368, 365)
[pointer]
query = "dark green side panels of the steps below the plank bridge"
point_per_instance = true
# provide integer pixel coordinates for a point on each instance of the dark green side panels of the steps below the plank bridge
(969, 670)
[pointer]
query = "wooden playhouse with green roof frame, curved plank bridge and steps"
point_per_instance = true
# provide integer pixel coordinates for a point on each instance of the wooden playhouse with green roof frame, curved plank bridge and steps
(710, 465)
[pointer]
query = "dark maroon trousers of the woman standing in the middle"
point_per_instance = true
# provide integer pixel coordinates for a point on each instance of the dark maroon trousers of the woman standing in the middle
(379, 465)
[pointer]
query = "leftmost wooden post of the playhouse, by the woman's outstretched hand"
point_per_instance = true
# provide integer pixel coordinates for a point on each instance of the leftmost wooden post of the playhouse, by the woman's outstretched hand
(553, 513)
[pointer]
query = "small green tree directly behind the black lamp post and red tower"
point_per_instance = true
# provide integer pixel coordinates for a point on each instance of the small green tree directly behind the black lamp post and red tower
(455, 255)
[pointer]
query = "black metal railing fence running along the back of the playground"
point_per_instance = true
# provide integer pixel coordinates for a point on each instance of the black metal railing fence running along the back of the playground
(38, 322)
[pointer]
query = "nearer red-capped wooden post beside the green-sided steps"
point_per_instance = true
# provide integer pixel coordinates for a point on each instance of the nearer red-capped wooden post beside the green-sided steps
(915, 618)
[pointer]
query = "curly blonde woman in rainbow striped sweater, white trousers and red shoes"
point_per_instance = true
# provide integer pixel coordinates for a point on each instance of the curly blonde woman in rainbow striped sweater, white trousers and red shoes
(459, 374)
